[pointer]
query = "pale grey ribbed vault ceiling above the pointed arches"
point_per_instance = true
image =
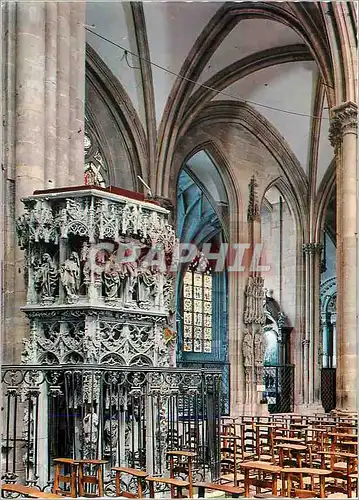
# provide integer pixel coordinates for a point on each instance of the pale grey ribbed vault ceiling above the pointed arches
(169, 31)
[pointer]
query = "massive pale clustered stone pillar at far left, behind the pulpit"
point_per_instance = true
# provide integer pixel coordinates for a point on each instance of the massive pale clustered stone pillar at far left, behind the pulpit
(44, 63)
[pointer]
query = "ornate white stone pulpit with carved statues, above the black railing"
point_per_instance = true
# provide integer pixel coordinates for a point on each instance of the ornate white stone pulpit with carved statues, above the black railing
(100, 289)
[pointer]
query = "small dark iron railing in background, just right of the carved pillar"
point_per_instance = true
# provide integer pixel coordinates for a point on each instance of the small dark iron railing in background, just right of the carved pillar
(279, 388)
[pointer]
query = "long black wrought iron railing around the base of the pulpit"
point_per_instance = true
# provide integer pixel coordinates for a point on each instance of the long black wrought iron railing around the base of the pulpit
(128, 416)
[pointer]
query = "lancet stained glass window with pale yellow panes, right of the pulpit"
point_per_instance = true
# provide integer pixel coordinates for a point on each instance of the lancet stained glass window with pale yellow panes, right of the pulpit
(197, 307)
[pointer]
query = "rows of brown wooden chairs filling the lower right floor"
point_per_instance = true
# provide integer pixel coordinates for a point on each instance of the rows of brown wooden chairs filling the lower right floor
(311, 444)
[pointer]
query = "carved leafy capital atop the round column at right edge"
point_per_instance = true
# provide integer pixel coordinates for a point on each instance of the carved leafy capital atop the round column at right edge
(344, 119)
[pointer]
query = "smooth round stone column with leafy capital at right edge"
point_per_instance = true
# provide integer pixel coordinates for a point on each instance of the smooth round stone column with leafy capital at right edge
(343, 137)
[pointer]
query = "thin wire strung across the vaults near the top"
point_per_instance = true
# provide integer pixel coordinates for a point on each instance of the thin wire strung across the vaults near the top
(212, 89)
